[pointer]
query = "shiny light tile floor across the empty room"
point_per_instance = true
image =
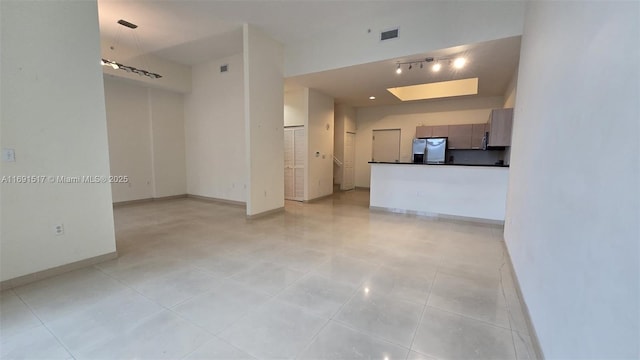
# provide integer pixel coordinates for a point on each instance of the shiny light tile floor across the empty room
(326, 280)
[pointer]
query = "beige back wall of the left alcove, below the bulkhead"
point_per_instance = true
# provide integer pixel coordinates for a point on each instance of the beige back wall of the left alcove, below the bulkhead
(146, 140)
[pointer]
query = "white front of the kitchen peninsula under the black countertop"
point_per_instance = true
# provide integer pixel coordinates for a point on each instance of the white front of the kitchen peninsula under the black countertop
(456, 191)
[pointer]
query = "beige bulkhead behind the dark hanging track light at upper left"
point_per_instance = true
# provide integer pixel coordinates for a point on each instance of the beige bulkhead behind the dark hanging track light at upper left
(175, 77)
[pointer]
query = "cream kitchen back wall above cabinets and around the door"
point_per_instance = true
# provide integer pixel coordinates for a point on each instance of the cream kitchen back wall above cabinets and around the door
(409, 115)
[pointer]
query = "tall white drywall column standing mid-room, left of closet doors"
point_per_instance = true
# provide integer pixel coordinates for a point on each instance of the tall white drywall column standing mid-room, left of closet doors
(263, 114)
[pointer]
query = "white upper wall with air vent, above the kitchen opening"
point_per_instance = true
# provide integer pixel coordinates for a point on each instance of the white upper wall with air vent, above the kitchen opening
(423, 26)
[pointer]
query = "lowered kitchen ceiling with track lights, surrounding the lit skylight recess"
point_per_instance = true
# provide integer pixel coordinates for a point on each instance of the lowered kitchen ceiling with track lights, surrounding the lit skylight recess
(493, 63)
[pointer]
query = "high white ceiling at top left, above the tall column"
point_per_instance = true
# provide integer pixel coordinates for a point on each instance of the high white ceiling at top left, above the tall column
(188, 31)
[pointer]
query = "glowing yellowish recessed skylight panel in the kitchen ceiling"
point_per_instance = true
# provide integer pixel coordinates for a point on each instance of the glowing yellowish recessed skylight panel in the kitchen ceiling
(436, 90)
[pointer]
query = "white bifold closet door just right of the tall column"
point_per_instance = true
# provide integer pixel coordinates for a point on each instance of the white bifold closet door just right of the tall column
(294, 160)
